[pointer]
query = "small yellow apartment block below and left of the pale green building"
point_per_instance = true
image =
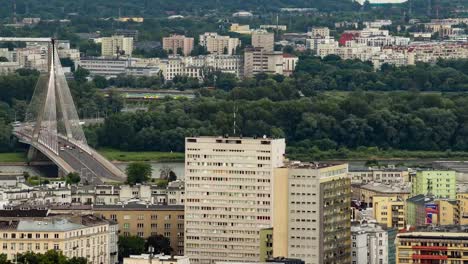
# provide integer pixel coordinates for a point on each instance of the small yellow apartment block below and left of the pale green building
(389, 211)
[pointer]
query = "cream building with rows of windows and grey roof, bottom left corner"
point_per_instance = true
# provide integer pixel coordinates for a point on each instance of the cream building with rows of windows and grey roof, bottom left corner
(87, 236)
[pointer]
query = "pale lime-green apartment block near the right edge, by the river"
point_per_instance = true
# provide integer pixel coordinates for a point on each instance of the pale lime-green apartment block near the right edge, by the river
(440, 184)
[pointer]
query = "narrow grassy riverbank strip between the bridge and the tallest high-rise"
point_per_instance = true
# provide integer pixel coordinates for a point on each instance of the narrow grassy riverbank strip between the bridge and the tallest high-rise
(125, 156)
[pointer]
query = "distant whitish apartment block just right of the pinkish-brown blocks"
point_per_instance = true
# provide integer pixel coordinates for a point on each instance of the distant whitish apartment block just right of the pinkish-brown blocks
(217, 44)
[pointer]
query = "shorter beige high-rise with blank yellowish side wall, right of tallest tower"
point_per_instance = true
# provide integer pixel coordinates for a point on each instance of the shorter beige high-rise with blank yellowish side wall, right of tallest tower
(312, 217)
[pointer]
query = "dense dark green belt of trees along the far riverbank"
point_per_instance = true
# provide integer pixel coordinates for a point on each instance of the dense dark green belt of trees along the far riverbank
(325, 121)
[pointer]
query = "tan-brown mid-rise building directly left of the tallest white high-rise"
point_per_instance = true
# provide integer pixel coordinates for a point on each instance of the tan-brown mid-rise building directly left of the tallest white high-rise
(146, 220)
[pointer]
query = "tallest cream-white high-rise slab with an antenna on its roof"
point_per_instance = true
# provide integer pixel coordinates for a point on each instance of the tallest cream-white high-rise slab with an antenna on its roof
(229, 196)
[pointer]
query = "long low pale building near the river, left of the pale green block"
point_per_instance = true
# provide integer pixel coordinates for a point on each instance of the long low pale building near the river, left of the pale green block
(383, 175)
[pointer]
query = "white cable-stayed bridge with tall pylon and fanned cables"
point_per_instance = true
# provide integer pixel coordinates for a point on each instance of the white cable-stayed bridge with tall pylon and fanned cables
(52, 127)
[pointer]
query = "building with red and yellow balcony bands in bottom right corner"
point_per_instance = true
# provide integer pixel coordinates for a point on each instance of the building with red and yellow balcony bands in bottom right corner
(433, 245)
